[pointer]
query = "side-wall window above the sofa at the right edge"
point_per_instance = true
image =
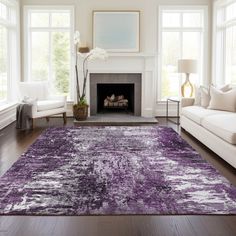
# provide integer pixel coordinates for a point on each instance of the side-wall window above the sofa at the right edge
(224, 57)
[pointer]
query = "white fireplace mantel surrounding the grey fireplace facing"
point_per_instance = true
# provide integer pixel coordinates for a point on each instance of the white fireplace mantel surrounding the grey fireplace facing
(143, 63)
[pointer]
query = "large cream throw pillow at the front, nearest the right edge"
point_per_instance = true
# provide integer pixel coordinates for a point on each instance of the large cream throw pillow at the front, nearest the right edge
(225, 101)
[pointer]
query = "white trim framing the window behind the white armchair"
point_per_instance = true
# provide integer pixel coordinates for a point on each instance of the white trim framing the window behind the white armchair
(27, 66)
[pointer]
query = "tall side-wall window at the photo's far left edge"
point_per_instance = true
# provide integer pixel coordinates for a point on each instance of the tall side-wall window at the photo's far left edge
(9, 64)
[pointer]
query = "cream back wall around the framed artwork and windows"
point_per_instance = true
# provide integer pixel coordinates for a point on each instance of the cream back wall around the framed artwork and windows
(149, 24)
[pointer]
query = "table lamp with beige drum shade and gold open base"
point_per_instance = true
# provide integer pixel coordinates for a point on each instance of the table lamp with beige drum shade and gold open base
(187, 66)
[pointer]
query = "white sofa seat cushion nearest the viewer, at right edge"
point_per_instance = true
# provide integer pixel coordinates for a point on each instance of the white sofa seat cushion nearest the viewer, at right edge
(222, 125)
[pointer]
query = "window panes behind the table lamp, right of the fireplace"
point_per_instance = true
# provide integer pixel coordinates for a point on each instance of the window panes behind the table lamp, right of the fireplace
(181, 36)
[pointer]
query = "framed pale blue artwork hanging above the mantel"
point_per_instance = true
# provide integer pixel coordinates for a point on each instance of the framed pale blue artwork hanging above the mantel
(116, 31)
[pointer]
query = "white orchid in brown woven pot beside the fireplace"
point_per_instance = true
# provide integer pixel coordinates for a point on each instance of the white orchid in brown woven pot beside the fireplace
(80, 110)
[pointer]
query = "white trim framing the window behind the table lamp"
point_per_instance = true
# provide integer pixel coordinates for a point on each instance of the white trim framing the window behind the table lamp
(204, 29)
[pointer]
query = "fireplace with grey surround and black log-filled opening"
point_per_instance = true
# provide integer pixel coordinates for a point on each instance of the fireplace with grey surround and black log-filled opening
(116, 92)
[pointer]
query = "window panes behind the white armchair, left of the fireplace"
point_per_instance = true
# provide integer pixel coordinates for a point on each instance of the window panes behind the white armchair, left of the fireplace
(49, 47)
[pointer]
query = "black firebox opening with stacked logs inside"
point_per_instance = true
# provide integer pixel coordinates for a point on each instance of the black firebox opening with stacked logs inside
(115, 98)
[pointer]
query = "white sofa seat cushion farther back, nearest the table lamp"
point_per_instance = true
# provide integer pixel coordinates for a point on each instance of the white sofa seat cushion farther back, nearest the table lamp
(197, 113)
